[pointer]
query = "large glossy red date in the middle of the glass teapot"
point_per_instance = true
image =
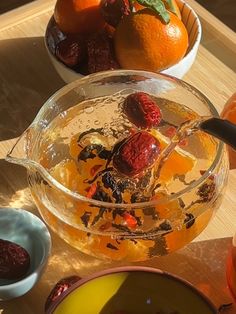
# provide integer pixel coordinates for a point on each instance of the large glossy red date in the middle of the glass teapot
(136, 154)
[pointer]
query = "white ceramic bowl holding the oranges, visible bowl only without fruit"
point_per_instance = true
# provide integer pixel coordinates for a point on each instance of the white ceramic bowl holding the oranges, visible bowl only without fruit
(190, 20)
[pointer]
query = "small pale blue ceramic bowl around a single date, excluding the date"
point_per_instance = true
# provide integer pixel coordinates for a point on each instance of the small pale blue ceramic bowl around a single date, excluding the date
(27, 230)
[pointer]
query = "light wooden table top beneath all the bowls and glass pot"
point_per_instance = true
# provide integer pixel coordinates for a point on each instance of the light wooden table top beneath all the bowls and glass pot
(27, 79)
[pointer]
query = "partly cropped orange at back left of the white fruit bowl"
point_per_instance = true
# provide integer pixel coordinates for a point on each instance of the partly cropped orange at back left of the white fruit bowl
(78, 16)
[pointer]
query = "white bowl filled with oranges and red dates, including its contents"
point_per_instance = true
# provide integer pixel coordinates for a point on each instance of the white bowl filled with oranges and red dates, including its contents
(88, 36)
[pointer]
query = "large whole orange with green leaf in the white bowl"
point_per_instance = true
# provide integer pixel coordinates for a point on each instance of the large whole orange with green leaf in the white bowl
(144, 42)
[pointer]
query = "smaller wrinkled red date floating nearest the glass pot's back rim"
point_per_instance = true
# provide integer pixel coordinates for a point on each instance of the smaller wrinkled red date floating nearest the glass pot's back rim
(142, 110)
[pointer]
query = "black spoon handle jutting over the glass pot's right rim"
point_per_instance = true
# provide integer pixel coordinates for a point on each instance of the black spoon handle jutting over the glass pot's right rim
(222, 129)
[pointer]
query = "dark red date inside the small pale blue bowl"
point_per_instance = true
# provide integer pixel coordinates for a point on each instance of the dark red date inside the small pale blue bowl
(14, 260)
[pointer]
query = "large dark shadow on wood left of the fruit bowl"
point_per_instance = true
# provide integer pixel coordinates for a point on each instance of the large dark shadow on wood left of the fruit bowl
(27, 80)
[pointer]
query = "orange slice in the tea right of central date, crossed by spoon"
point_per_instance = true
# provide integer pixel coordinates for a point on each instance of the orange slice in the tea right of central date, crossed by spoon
(178, 163)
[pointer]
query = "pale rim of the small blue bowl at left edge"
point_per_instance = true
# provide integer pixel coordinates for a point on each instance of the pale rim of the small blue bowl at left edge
(47, 247)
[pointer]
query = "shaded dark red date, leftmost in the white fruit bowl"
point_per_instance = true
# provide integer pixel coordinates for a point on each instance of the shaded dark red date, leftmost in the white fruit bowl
(71, 51)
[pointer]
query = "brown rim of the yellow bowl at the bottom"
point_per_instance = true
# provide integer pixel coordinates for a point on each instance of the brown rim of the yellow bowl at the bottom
(121, 269)
